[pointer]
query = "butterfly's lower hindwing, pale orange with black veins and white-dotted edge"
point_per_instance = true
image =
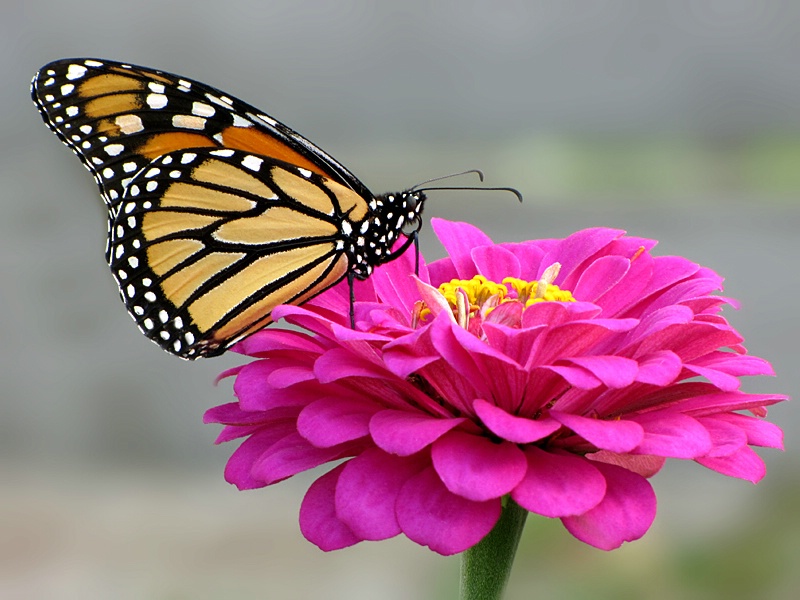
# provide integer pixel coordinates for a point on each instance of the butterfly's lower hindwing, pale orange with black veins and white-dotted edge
(207, 242)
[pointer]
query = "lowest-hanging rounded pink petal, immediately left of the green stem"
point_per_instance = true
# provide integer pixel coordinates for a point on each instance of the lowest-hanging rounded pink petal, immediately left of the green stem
(432, 516)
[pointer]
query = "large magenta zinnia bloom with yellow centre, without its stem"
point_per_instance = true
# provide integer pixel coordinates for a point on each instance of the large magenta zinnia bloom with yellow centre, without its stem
(561, 372)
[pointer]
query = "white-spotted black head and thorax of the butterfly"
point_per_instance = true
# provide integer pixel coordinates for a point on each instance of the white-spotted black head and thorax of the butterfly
(393, 216)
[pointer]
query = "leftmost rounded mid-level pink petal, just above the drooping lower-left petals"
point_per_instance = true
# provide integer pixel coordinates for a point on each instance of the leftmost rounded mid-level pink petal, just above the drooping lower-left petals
(331, 421)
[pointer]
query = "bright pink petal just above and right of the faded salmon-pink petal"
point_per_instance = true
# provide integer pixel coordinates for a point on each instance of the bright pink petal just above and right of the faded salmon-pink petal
(673, 435)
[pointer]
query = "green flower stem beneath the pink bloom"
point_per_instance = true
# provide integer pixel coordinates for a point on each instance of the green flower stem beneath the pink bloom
(485, 567)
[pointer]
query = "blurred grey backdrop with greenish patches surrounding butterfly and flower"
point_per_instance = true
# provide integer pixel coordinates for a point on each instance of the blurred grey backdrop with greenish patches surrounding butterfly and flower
(671, 119)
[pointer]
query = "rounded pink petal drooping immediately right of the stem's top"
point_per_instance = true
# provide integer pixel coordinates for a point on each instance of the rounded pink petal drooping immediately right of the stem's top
(559, 485)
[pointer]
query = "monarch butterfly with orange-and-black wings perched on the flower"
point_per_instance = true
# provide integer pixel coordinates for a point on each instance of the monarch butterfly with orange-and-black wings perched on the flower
(217, 212)
